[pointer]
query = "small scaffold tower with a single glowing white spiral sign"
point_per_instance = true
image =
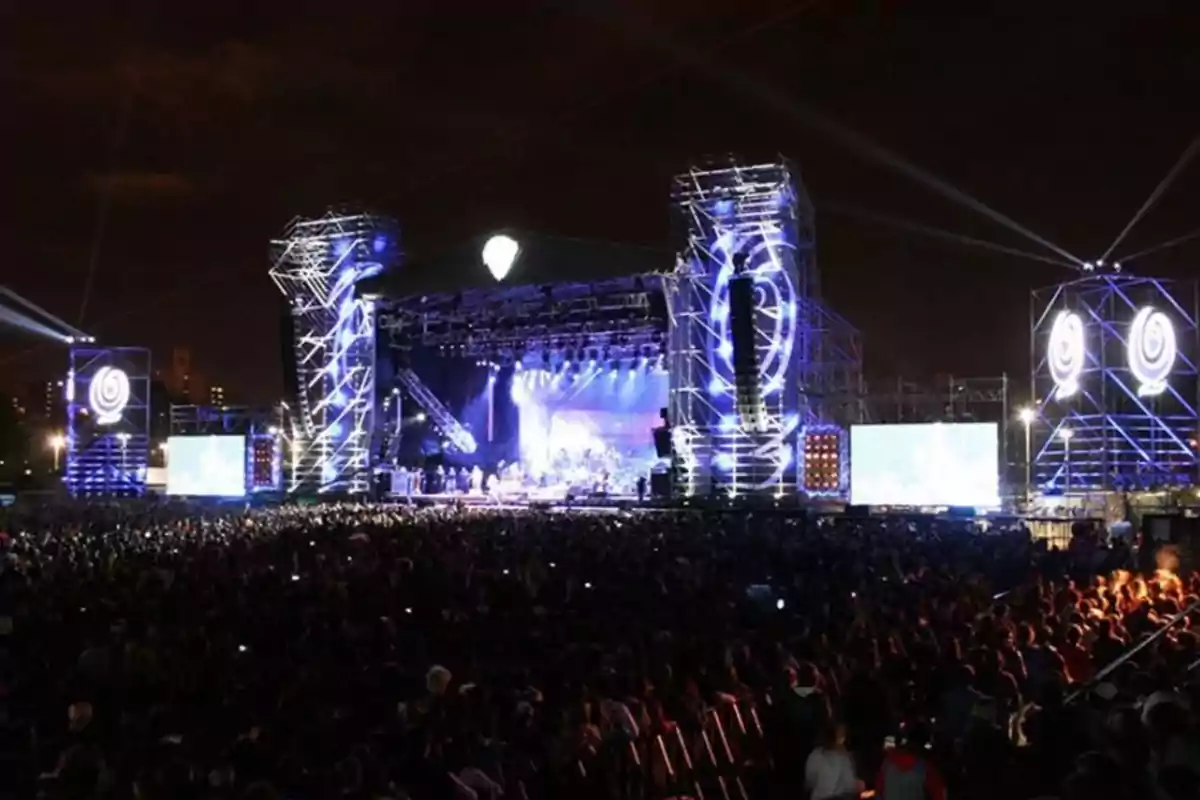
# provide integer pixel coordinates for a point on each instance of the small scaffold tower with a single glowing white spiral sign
(109, 422)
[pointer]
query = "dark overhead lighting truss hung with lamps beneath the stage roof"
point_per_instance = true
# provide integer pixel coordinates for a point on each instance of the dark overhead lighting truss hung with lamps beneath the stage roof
(611, 320)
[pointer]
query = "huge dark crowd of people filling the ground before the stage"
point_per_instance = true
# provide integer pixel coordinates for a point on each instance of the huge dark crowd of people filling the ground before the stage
(166, 653)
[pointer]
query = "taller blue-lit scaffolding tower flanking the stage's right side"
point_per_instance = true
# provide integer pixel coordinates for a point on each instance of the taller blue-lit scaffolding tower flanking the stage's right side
(755, 221)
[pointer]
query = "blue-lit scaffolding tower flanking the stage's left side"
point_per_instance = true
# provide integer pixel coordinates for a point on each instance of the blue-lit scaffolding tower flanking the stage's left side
(316, 266)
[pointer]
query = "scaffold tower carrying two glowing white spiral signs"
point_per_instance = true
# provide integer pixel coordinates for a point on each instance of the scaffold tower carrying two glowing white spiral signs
(1117, 387)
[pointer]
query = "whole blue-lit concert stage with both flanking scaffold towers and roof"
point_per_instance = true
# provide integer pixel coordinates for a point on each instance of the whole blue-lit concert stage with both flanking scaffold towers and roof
(697, 371)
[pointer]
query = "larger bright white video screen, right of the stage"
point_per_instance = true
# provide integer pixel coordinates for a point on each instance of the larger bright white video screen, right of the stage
(932, 465)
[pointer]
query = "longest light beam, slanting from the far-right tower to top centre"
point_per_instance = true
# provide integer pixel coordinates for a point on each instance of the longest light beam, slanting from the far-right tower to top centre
(803, 116)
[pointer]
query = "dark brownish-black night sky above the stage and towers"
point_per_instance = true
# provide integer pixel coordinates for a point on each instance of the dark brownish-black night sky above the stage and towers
(207, 127)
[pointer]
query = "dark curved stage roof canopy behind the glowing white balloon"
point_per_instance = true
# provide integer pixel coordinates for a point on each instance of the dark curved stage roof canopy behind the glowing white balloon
(543, 260)
